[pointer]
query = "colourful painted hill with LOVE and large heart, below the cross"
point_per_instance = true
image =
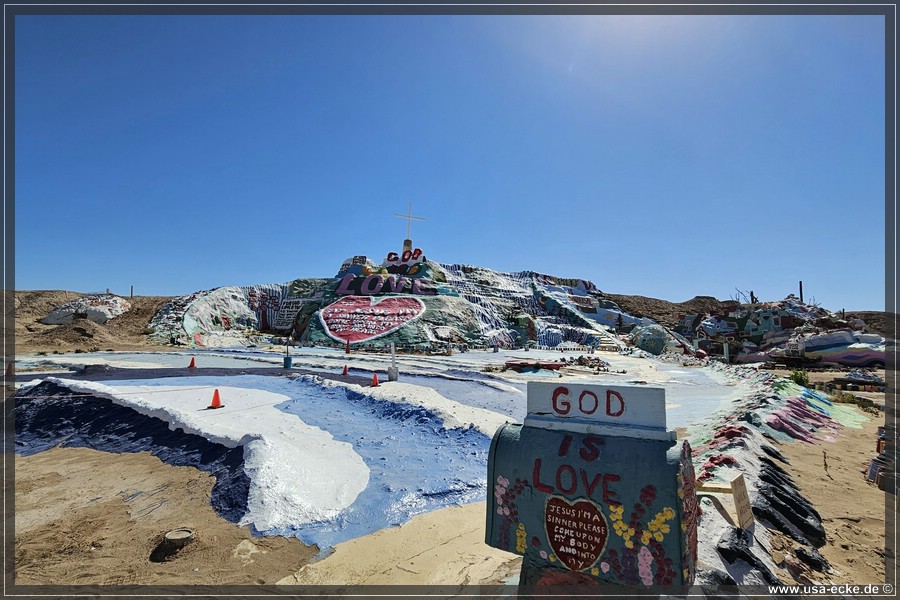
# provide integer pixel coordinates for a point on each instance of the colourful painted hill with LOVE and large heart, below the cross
(407, 300)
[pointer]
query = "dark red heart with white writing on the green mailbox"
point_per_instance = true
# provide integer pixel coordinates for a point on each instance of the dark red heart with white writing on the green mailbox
(576, 531)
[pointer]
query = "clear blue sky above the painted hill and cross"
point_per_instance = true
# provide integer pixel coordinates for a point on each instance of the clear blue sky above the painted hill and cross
(665, 156)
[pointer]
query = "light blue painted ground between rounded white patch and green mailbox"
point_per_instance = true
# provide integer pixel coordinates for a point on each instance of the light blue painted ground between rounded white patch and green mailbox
(416, 464)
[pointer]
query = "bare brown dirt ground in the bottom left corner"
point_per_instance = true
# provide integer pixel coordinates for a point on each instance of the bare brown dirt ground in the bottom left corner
(76, 526)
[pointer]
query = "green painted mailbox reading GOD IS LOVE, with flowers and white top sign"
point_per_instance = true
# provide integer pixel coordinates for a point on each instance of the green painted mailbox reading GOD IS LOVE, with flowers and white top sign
(583, 506)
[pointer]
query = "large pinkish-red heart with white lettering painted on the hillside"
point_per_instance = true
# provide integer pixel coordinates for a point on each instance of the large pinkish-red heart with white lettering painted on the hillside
(361, 318)
